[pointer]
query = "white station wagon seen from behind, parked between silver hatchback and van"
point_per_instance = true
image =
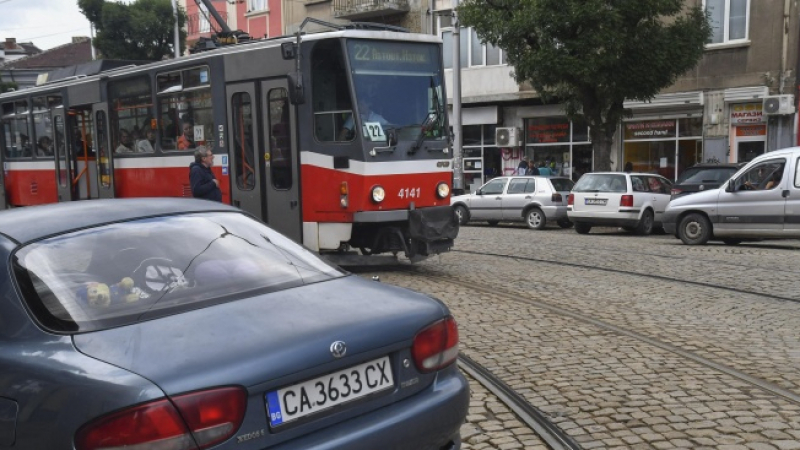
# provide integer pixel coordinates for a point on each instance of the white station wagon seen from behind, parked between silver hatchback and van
(633, 201)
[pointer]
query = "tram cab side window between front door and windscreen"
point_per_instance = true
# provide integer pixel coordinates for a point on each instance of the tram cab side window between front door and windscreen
(331, 92)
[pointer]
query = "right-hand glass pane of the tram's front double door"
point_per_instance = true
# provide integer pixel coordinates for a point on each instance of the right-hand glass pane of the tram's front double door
(280, 139)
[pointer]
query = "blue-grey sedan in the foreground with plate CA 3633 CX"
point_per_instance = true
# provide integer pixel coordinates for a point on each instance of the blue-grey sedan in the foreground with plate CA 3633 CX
(187, 324)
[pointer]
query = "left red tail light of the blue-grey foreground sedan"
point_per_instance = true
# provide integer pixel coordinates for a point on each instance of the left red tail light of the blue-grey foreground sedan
(211, 416)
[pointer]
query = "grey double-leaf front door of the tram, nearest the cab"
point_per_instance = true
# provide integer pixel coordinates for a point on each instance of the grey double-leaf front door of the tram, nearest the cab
(263, 154)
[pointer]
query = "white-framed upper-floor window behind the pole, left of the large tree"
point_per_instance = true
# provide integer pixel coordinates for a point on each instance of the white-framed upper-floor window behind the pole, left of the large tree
(473, 52)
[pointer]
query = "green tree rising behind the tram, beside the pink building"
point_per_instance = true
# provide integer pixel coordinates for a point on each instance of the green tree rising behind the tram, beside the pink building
(142, 30)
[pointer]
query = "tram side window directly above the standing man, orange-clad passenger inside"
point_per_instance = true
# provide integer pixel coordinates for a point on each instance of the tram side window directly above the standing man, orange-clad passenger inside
(185, 110)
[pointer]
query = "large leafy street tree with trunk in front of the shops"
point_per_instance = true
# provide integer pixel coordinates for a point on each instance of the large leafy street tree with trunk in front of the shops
(591, 55)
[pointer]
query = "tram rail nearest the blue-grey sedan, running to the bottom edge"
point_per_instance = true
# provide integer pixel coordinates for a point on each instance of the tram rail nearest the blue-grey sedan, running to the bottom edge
(551, 434)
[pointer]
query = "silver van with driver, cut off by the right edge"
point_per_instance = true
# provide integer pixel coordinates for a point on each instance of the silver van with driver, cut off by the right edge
(760, 201)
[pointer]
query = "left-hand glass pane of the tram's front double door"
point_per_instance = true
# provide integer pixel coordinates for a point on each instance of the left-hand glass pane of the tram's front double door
(242, 133)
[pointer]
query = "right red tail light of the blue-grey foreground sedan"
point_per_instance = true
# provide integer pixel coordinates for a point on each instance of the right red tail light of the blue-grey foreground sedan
(436, 346)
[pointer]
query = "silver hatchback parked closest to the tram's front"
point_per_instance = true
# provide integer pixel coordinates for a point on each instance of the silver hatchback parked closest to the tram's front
(535, 200)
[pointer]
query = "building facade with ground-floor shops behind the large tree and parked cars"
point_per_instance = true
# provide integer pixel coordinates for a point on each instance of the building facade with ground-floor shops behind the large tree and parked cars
(739, 101)
